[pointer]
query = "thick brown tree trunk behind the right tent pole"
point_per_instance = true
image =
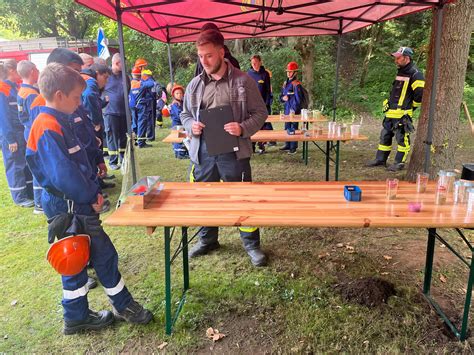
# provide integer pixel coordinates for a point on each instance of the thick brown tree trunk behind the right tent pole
(455, 40)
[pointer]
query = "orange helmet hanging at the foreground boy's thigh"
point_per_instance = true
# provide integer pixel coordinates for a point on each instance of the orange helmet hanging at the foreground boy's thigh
(70, 255)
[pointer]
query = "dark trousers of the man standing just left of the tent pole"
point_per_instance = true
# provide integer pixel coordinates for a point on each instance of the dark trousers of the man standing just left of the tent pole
(116, 134)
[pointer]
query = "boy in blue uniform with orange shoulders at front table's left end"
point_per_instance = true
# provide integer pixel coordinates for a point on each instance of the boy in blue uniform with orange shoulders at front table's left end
(58, 160)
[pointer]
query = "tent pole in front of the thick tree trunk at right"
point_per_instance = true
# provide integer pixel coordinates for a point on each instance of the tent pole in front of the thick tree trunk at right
(429, 134)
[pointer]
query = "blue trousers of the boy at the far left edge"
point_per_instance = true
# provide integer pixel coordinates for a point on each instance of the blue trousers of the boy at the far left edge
(20, 181)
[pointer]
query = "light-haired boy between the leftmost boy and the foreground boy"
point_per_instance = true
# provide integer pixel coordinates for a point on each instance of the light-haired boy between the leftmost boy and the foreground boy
(27, 95)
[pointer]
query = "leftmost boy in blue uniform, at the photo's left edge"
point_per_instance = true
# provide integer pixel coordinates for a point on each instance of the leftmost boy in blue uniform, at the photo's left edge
(12, 137)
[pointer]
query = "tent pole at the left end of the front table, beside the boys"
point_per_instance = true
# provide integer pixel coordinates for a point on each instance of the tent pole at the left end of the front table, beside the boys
(128, 115)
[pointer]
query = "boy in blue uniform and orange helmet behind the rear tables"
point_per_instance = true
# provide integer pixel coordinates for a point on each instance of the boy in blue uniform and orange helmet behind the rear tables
(291, 98)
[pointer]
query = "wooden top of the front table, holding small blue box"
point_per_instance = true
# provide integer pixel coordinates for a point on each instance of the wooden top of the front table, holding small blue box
(290, 204)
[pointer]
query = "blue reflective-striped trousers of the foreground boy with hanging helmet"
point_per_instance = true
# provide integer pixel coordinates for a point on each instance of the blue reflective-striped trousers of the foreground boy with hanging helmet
(104, 259)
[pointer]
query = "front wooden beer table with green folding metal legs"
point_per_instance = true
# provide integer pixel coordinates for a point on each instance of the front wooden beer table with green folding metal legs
(292, 204)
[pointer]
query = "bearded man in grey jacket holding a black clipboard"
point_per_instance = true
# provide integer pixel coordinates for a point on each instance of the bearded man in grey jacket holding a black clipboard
(221, 84)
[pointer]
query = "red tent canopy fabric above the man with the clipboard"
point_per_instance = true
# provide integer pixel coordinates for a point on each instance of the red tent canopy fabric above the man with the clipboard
(174, 21)
